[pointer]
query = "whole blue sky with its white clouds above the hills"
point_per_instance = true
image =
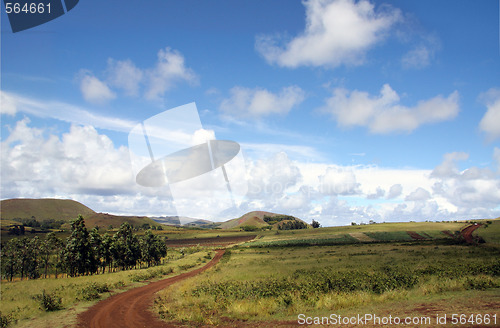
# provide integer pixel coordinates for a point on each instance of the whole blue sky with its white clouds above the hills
(345, 110)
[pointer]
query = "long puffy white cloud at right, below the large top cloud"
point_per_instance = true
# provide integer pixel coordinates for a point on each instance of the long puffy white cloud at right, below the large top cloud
(384, 114)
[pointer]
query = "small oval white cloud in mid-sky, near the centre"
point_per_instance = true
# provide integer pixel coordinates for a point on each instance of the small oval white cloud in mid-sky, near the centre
(254, 103)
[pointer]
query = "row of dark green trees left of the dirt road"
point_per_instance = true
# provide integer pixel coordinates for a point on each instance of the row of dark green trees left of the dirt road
(84, 252)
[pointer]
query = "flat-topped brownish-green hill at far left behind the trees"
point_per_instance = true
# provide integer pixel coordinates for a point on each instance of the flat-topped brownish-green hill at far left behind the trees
(43, 209)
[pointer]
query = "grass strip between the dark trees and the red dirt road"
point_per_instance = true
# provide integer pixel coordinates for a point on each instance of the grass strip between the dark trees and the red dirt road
(19, 298)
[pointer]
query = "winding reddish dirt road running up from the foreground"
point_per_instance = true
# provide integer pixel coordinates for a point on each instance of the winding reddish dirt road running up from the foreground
(131, 308)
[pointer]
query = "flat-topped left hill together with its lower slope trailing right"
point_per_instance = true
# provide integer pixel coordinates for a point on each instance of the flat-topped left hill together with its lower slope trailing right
(65, 210)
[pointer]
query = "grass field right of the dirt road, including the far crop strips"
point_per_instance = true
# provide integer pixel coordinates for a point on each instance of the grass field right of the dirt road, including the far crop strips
(394, 275)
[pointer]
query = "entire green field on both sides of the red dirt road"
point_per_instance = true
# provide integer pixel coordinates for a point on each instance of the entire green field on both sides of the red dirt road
(268, 278)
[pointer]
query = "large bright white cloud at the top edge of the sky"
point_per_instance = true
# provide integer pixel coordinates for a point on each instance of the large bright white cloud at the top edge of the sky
(337, 32)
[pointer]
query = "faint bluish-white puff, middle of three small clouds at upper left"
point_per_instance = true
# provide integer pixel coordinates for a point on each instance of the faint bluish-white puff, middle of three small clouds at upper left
(125, 75)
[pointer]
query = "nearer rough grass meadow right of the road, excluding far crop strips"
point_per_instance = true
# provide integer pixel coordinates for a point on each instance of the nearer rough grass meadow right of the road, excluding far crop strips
(277, 283)
